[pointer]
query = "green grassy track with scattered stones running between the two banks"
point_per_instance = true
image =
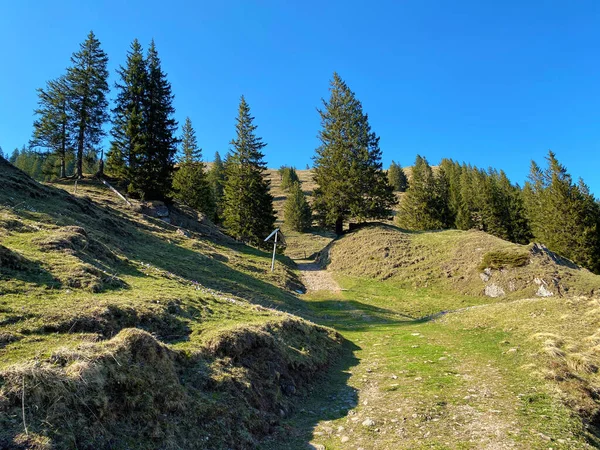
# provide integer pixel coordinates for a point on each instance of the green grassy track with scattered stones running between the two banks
(426, 383)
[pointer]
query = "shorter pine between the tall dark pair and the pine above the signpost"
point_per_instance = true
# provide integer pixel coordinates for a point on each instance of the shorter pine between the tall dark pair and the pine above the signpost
(190, 182)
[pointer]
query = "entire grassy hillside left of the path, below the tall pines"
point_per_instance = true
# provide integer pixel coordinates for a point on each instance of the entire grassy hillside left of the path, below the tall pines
(119, 330)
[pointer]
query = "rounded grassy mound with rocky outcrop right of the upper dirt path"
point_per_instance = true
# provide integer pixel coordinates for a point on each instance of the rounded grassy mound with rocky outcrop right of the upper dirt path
(466, 262)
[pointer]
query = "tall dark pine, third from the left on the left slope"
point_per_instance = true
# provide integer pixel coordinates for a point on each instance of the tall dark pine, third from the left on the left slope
(129, 127)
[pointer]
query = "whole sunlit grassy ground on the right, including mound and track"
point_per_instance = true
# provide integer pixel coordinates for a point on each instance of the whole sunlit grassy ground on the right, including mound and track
(438, 364)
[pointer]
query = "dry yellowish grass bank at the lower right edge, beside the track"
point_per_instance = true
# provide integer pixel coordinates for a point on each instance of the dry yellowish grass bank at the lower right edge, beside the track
(558, 339)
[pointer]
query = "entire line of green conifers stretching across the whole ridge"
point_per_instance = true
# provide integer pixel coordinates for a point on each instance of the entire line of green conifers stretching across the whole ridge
(152, 162)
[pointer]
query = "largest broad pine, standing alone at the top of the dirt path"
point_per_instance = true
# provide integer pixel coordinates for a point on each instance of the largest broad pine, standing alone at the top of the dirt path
(347, 168)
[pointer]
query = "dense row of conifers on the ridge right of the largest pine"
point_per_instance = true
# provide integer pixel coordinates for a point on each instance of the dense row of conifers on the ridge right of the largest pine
(550, 208)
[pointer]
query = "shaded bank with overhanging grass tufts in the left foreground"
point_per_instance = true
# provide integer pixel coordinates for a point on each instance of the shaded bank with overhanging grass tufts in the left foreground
(135, 392)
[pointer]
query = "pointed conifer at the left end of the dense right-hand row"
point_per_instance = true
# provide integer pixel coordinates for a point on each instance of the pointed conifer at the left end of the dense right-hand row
(420, 206)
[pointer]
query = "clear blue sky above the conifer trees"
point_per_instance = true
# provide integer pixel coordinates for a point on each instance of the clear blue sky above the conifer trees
(489, 83)
